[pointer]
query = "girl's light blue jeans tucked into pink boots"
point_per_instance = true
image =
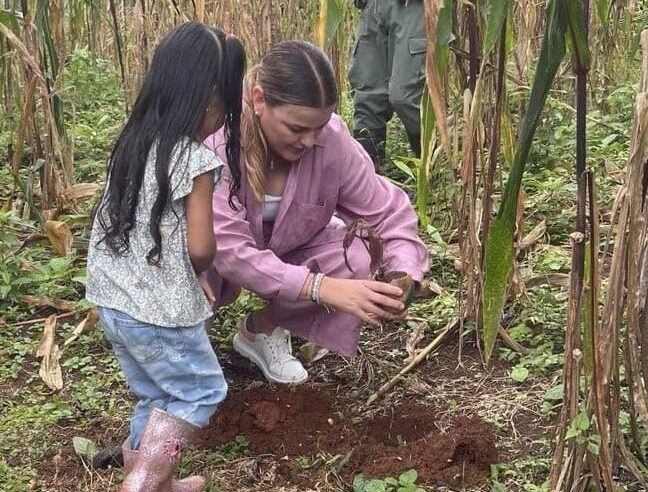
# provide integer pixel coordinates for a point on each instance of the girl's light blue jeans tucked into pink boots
(174, 369)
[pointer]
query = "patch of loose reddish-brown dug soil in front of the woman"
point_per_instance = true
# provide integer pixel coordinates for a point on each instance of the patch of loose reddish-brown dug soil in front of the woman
(306, 421)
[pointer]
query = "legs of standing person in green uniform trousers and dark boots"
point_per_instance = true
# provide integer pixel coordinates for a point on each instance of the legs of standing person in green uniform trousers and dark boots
(387, 72)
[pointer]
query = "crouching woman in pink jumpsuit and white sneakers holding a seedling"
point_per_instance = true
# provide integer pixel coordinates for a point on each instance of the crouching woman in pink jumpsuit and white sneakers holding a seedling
(304, 178)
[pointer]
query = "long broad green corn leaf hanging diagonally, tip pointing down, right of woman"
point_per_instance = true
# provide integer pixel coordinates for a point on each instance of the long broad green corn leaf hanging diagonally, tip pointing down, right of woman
(498, 255)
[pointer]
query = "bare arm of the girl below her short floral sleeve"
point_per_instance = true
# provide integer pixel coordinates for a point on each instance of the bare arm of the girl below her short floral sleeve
(201, 242)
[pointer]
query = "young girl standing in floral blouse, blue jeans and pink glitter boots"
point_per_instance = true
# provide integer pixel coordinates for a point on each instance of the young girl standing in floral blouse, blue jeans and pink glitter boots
(153, 234)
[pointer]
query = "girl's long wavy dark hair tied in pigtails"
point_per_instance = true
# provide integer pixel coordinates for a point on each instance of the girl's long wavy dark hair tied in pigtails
(191, 63)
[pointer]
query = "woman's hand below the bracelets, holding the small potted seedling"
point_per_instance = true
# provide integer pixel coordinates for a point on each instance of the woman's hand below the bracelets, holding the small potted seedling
(369, 300)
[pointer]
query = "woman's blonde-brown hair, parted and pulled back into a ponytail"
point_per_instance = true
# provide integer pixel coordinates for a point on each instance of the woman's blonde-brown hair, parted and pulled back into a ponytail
(292, 72)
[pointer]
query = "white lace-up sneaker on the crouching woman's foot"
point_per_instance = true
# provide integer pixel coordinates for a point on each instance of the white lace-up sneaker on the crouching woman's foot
(273, 355)
